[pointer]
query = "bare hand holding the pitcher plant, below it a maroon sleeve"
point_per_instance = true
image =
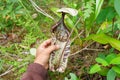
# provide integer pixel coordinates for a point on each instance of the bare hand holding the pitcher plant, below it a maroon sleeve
(43, 53)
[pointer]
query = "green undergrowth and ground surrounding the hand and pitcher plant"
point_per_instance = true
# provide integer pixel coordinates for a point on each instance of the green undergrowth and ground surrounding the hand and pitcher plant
(95, 40)
